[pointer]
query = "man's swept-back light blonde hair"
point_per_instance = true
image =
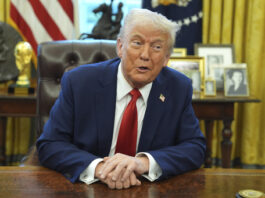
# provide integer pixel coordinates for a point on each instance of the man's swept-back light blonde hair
(142, 16)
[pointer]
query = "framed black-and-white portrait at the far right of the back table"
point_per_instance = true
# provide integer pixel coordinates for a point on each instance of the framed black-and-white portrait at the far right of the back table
(236, 82)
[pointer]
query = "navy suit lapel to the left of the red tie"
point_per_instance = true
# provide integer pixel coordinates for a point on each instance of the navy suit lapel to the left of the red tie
(105, 107)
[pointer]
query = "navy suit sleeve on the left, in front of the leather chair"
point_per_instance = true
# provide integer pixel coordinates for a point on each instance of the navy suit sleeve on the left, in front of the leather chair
(55, 145)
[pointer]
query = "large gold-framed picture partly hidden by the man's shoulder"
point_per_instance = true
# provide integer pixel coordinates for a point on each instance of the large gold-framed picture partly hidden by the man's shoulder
(191, 66)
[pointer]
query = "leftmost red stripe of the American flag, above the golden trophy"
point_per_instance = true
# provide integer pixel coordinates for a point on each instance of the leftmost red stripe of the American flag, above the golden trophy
(23, 26)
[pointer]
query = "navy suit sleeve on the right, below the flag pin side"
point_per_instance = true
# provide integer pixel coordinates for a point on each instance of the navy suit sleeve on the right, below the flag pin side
(188, 151)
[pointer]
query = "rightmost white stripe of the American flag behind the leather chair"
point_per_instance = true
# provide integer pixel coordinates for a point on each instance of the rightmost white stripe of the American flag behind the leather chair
(57, 13)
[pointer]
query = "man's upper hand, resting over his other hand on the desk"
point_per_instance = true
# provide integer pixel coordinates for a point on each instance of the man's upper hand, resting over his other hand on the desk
(120, 167)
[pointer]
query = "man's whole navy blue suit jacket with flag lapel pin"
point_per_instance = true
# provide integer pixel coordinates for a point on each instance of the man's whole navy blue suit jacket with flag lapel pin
(81, 121)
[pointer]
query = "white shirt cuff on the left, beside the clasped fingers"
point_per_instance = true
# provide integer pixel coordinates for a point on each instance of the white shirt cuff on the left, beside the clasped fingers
(87, 176)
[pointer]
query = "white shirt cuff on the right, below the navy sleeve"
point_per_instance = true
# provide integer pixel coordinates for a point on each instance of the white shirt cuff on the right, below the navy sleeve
(154, 169)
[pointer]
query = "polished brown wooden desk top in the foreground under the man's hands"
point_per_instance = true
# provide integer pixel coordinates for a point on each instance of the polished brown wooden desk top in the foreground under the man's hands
(16, 182)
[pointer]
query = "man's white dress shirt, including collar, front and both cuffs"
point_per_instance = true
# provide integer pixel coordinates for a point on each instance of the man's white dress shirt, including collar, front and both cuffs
(122, 99)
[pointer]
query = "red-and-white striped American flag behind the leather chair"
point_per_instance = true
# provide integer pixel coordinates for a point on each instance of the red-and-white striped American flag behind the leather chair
(42, 20)
